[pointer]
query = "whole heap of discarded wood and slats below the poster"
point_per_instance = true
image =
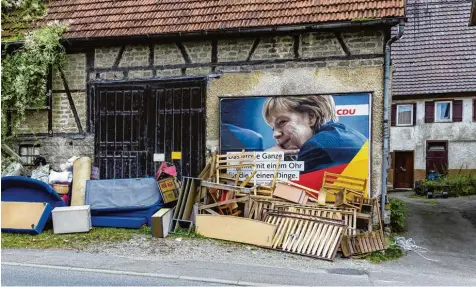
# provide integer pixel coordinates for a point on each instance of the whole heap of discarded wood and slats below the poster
(307, 222)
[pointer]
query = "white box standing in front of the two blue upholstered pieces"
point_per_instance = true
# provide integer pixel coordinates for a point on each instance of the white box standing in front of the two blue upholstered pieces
(71, 219)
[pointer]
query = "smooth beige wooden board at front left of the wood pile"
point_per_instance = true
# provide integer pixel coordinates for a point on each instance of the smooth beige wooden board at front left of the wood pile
(237, 229)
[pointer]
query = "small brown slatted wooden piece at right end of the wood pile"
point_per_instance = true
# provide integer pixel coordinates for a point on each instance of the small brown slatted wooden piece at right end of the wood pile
(363, 243)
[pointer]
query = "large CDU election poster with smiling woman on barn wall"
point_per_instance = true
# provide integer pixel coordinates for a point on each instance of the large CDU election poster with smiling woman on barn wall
(310, 134)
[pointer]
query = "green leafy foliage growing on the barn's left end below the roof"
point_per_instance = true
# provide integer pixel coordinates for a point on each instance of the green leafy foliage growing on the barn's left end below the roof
(25, 71)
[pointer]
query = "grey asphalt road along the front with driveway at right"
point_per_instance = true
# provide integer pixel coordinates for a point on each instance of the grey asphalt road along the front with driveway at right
(443, 228)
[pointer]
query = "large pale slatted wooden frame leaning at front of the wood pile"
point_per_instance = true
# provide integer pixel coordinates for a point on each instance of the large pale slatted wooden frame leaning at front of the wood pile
(306, 234)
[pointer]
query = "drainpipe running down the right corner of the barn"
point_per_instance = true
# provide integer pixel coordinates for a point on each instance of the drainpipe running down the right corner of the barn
(386, 128)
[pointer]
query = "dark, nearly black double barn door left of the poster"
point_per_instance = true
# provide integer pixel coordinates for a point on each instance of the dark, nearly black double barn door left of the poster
(133, 122)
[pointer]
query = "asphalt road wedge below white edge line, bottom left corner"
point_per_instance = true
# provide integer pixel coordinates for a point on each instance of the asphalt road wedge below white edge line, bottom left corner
(34, 276)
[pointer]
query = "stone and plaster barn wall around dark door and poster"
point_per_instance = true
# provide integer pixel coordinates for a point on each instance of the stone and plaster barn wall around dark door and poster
(304, 73)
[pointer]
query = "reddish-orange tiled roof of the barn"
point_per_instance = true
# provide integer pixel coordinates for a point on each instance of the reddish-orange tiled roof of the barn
(98, 18)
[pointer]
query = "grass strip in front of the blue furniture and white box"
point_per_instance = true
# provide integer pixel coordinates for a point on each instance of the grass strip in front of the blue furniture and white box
(48, 240)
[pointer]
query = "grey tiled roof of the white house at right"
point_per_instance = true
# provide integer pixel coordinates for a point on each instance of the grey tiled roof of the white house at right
(437, 53)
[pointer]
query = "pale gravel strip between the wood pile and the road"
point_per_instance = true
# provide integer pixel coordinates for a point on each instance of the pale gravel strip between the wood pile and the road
(175, 249)
